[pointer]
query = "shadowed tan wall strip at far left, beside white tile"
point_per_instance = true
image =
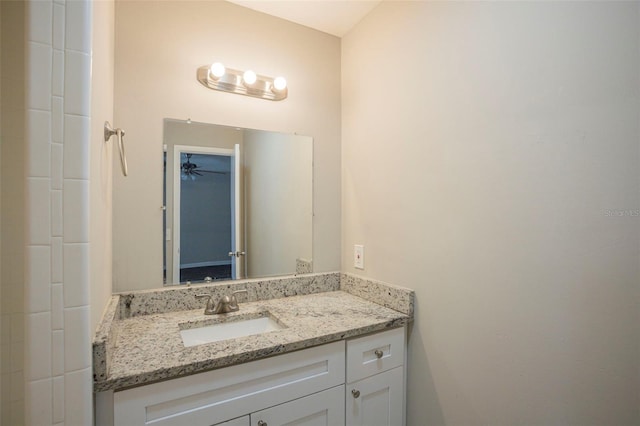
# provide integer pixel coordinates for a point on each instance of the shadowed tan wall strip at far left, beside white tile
(12, 212)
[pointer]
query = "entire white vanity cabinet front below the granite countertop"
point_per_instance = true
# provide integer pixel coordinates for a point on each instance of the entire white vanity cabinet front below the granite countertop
(314, 386)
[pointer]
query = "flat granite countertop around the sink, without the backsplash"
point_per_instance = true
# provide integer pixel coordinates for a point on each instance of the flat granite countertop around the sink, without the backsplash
(149, 348)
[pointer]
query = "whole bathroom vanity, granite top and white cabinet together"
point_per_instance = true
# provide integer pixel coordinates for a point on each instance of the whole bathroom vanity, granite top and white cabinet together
(337, 358)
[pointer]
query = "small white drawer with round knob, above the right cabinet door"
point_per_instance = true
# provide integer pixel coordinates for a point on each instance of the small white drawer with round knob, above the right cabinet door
(375, 353)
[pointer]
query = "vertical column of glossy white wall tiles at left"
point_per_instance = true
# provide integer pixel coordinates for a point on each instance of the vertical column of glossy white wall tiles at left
(58, 339)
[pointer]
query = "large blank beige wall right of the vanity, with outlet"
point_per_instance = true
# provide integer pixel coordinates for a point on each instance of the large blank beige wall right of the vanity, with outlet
(488, 150)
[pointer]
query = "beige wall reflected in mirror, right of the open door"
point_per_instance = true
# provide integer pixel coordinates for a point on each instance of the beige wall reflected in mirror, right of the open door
(278, 188)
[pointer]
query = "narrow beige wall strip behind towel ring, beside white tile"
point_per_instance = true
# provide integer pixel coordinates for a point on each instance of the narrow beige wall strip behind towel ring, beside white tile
(101, 158)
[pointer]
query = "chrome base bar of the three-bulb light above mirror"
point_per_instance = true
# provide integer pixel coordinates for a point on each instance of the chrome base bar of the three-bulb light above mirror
(232, 81)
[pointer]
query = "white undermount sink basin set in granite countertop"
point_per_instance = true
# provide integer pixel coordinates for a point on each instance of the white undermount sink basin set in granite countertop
(228, 330)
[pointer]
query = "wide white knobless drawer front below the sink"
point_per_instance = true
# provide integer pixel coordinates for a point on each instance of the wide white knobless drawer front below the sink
(216, 396)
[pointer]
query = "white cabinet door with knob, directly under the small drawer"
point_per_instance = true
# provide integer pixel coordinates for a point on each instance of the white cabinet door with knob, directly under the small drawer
(376, 400)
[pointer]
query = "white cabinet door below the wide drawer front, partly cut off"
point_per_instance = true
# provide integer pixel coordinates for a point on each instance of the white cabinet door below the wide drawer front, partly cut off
(320, 409)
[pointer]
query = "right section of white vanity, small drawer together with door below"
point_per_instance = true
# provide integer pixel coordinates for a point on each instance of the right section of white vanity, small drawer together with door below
(375, 379)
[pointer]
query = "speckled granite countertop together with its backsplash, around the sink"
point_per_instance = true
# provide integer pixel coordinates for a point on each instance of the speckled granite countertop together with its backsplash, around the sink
(138, 341)
